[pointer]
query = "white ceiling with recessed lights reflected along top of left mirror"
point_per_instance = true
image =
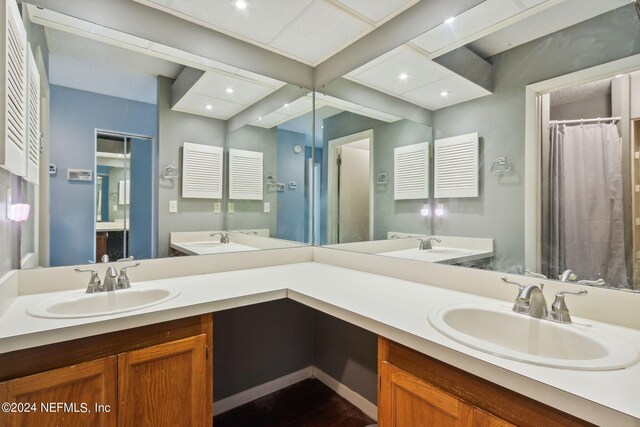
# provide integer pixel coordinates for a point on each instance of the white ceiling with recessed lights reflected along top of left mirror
(89, 57)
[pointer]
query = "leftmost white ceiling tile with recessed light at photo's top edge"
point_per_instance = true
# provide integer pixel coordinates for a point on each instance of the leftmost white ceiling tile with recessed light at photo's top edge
(260, 21)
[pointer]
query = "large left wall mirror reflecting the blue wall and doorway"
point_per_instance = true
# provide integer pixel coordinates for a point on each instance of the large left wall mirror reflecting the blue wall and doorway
(139, 134)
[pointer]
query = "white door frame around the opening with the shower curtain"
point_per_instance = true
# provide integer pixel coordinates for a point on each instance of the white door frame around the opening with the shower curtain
(533, 134)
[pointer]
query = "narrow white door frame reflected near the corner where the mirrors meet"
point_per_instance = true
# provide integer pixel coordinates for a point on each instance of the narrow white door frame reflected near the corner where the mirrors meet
(332, 182)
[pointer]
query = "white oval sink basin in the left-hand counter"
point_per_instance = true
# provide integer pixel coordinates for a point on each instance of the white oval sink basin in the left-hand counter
(78, 305)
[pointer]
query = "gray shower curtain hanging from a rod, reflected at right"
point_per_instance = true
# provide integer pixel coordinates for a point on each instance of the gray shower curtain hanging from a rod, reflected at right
(586, 232)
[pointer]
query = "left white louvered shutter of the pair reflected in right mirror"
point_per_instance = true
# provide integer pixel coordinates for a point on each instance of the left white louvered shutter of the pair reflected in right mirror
(411, 172)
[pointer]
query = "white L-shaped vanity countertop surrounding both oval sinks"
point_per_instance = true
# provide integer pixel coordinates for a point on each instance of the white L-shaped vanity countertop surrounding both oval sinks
(390, 307)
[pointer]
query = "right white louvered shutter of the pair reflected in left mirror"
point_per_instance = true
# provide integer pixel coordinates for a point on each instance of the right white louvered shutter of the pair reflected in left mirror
(245, 175)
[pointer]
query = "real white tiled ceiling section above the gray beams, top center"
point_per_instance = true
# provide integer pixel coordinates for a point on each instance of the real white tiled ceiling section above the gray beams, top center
(309, 31)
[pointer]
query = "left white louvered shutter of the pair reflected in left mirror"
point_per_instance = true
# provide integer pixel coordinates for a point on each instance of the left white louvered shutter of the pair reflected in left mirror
(202, 171)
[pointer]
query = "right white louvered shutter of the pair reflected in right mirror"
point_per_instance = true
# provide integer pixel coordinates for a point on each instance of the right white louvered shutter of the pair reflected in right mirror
(456, 166)
